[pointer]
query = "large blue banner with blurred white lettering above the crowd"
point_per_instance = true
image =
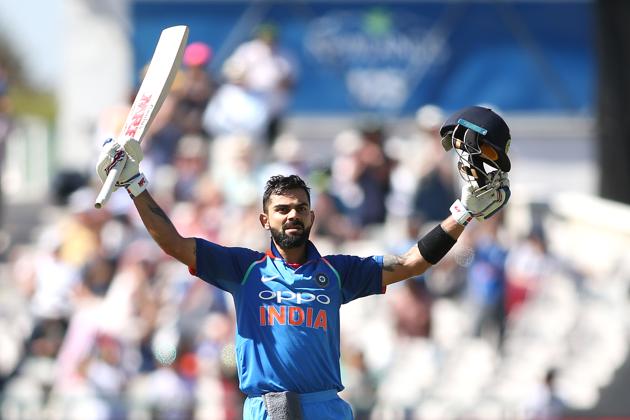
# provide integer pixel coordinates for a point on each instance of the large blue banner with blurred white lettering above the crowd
(394, 56)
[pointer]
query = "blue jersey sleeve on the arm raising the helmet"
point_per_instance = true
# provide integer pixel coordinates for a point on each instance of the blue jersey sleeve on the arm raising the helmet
(359, 276)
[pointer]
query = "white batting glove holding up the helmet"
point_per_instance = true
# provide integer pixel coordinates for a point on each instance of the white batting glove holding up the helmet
(482, 203)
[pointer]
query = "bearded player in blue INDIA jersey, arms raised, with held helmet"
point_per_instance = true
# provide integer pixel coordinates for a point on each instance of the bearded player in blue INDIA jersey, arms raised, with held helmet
(287, 300)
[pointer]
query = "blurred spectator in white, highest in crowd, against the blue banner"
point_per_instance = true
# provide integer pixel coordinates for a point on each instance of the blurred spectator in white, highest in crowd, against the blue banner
(267, 71)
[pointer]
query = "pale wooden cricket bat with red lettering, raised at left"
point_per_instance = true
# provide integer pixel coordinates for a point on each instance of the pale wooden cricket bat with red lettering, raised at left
(155, 86)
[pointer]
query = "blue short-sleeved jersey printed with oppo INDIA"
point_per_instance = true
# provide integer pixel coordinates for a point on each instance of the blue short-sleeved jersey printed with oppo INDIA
(287, 316)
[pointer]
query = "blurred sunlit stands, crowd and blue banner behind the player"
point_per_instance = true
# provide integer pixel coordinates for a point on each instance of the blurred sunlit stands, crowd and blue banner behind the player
(527, 317)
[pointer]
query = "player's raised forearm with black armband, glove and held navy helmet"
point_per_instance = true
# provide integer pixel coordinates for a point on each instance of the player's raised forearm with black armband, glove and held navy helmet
(482, 140)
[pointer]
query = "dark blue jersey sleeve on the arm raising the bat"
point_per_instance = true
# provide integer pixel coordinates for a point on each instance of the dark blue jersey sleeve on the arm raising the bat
(223, 266)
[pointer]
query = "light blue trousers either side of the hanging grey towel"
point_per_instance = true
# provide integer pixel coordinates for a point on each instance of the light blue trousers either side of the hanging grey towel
(324, 405)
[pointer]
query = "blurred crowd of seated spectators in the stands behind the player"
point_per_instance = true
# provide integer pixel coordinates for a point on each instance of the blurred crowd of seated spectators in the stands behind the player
(97, 322)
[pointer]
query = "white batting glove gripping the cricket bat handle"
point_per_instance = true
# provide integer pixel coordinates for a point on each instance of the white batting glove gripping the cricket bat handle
(130, 176)
